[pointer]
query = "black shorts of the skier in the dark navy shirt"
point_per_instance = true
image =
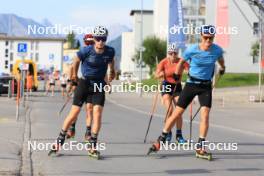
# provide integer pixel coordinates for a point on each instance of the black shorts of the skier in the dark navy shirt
(85, 93)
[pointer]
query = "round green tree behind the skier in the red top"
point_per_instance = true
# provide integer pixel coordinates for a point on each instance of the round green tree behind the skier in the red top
(154, 48)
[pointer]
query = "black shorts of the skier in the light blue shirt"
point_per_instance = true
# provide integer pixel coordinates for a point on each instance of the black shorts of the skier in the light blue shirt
(204, 92)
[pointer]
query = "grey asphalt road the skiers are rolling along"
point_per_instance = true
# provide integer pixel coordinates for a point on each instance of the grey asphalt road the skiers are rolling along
(124, 124)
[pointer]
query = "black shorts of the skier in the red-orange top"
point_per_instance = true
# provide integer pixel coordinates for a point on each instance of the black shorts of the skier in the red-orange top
(170, 89)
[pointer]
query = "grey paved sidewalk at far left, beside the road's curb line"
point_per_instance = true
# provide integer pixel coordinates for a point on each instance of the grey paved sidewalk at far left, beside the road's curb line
(11, 137)
